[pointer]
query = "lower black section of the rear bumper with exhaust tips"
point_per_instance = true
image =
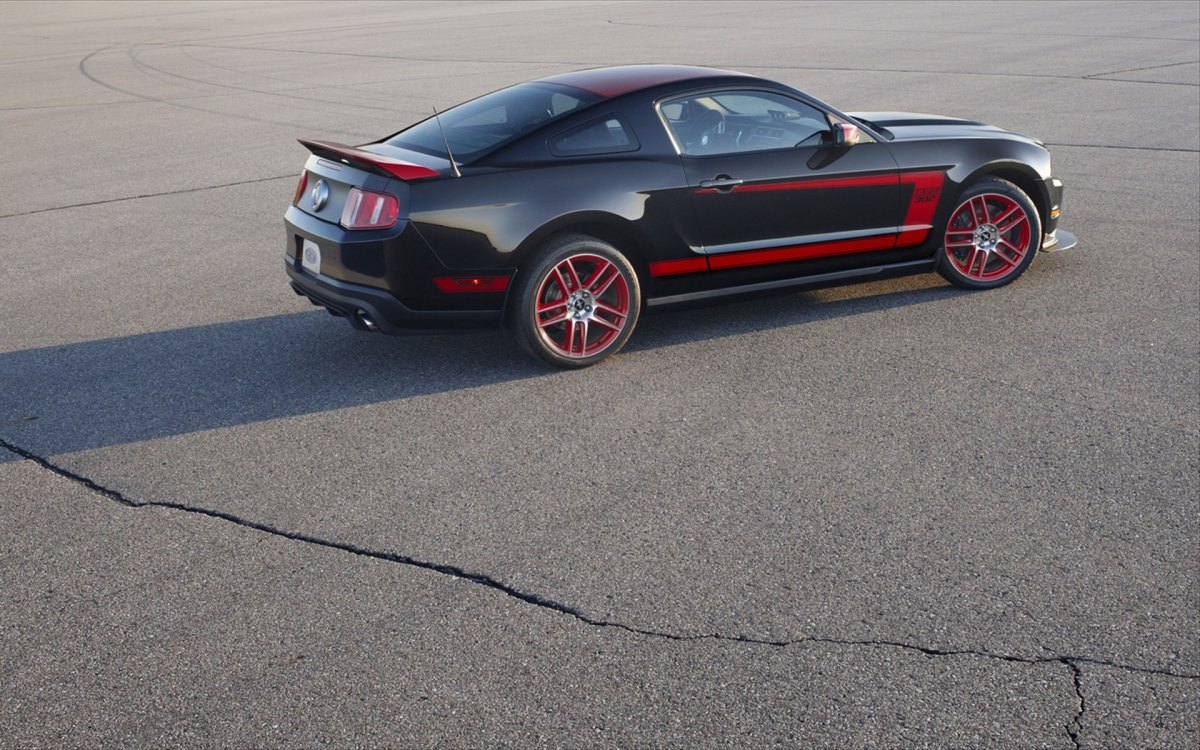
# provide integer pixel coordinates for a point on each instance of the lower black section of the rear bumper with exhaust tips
(370, 309)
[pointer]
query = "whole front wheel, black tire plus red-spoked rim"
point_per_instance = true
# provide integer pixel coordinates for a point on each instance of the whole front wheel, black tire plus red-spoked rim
(992, 237)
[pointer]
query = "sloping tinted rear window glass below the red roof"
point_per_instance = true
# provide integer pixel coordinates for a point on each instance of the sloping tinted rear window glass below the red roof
(481, 125)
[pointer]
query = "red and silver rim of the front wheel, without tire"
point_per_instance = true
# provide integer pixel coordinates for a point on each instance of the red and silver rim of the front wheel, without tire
(988, 238)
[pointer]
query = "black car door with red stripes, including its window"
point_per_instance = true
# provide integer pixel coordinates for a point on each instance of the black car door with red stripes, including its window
(771, 185)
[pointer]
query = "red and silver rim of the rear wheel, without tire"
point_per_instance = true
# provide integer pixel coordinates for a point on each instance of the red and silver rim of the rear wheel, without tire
(583, 305)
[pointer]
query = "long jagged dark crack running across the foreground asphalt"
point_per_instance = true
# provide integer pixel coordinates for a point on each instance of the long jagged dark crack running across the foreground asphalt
(1072, 663)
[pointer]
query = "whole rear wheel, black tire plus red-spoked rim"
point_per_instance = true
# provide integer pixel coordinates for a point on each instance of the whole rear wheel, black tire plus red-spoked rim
(575, 302)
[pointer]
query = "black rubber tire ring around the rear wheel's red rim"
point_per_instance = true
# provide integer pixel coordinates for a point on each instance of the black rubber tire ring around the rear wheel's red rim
(523, 320)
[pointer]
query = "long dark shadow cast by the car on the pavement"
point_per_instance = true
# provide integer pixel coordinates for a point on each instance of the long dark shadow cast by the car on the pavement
(97, 394)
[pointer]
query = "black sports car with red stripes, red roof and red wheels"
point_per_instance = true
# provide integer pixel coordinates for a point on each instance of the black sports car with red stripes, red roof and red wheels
(563, 206)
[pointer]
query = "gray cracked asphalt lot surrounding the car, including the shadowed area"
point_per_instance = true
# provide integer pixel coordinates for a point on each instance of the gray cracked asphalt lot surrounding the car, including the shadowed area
(886, 515)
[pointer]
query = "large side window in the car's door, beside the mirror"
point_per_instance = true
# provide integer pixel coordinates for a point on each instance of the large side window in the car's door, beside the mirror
(734, 122)
